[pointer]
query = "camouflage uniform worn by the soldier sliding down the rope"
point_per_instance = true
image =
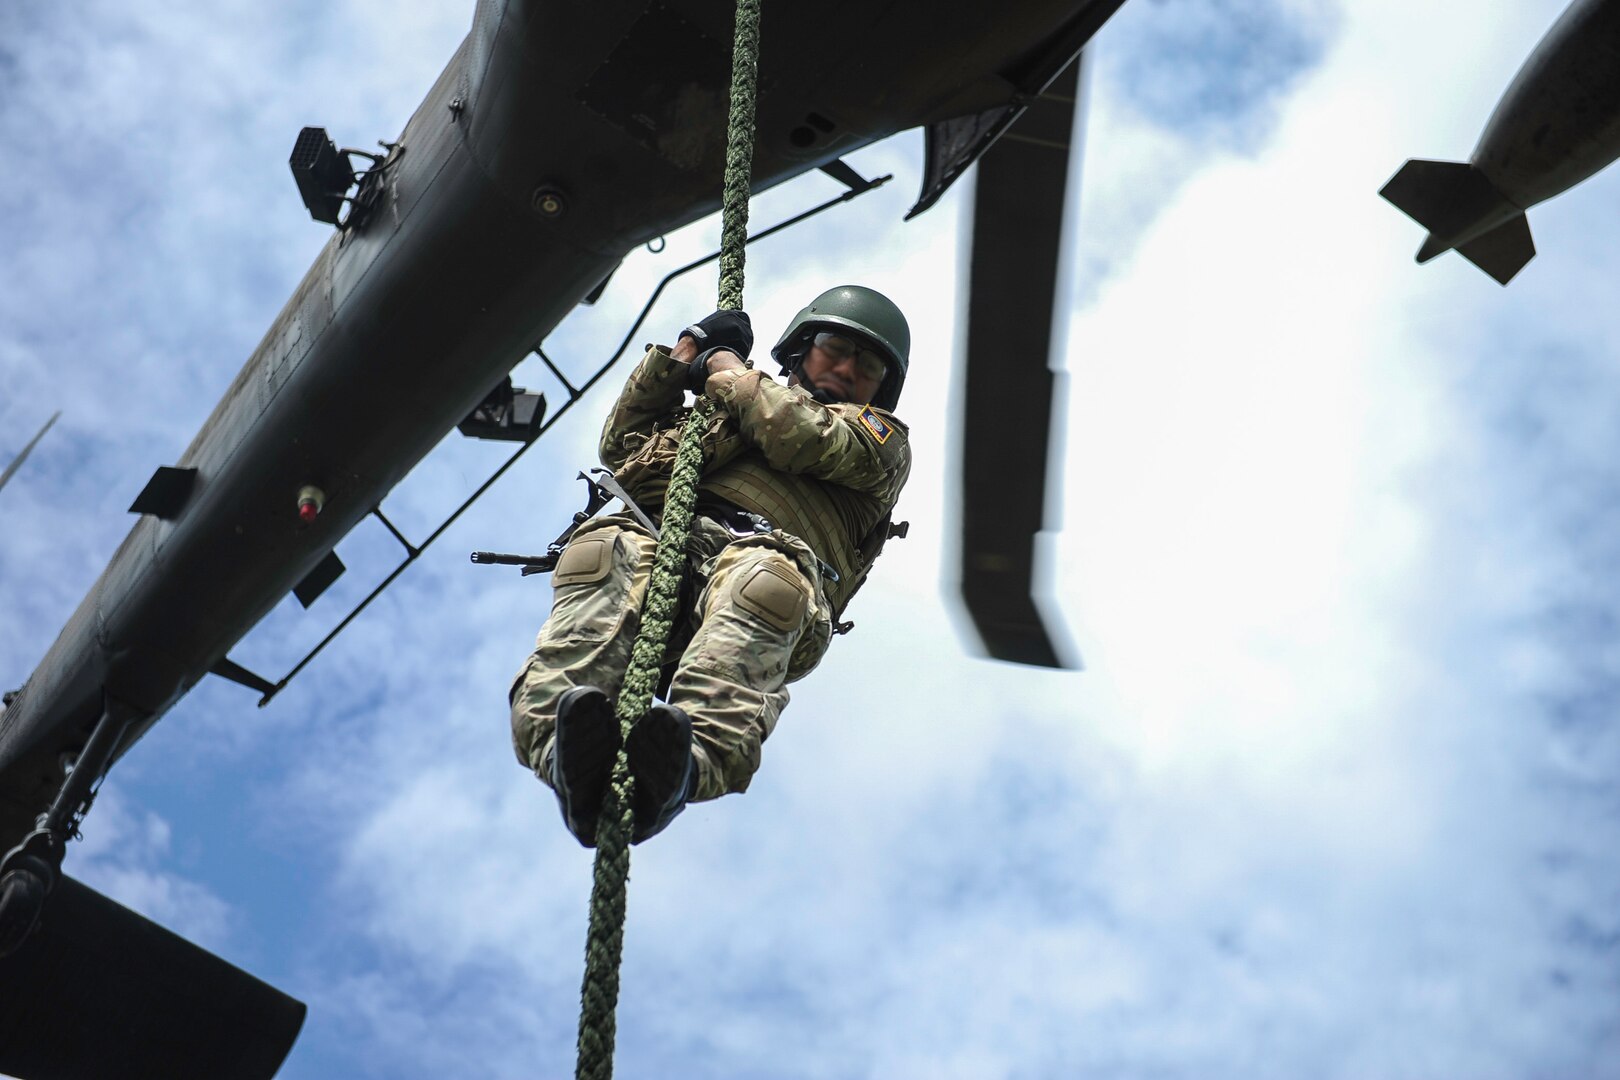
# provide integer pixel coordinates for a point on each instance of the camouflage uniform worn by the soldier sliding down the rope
(761, 608)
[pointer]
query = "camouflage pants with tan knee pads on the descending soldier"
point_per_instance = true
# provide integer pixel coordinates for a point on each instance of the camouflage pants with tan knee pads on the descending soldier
(757, 621)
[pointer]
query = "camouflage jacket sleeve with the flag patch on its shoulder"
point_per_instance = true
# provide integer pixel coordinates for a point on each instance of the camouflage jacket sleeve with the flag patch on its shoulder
(853, 446)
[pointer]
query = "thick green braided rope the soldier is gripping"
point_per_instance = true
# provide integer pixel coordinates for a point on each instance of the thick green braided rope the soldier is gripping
(612, 872)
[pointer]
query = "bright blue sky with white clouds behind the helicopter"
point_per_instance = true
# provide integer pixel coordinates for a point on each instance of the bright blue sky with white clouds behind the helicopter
(1336, 796)
